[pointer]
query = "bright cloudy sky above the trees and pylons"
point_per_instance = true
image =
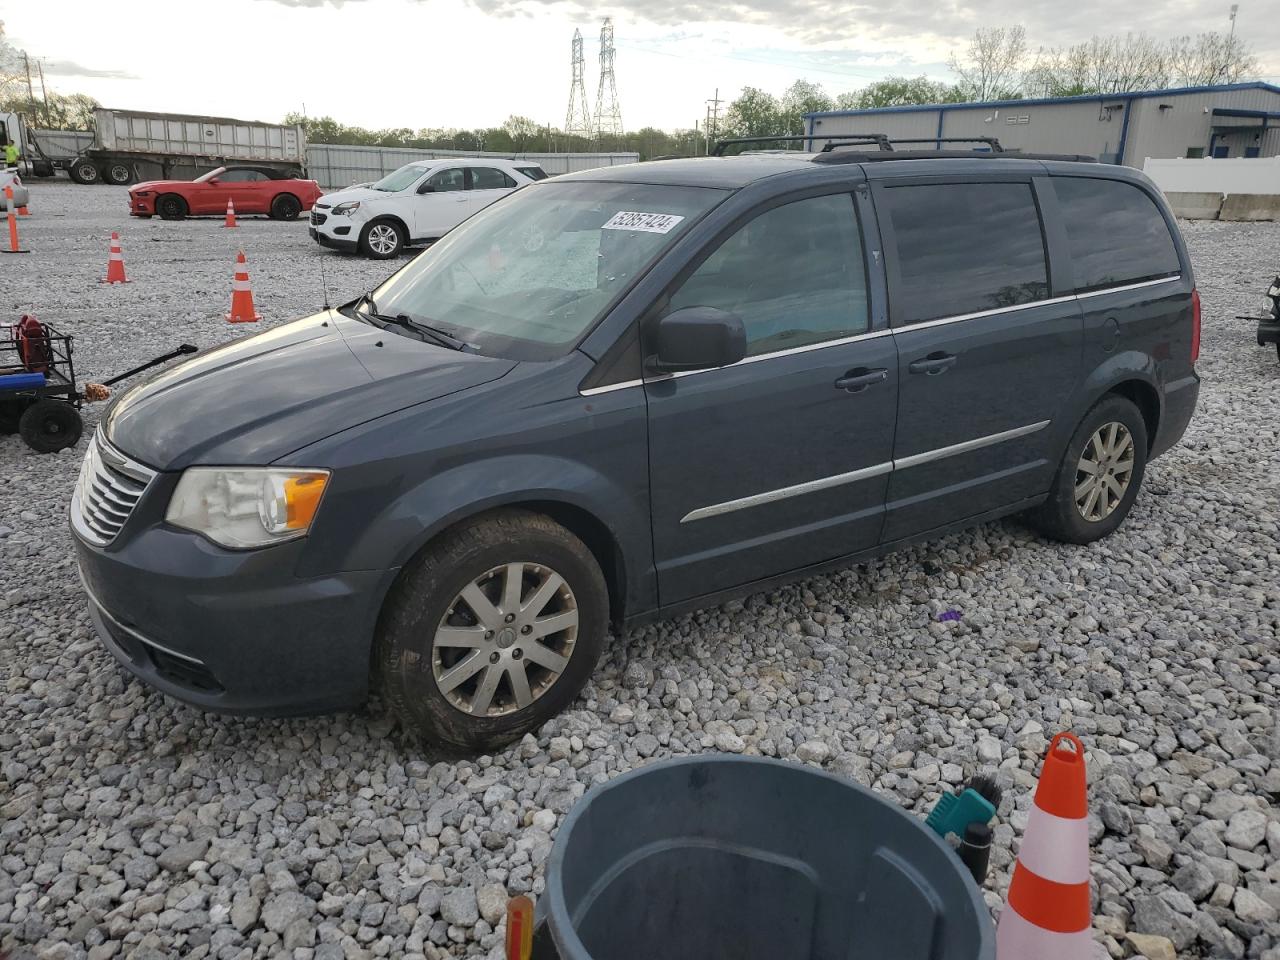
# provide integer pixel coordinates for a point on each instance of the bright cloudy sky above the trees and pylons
(473, 63)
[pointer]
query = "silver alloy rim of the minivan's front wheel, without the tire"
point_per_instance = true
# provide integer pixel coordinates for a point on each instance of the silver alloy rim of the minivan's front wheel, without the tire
(506, 639)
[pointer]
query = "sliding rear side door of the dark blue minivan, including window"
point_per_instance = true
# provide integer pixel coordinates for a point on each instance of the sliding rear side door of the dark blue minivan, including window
(989, 351)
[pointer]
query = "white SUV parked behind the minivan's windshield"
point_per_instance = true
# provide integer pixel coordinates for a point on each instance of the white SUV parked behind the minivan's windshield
(418, 204)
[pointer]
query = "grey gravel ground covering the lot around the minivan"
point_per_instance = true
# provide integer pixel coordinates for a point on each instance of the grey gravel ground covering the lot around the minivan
(134, 826)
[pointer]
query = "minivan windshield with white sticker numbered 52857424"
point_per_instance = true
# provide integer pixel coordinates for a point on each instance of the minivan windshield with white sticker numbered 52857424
(529, 276)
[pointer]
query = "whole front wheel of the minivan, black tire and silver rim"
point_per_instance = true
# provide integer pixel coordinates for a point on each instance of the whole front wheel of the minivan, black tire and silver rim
(493, 630)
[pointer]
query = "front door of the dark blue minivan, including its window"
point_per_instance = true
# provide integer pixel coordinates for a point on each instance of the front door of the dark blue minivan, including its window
(781, 460)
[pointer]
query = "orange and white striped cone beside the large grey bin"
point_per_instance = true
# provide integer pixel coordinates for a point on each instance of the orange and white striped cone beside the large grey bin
(1048, 913)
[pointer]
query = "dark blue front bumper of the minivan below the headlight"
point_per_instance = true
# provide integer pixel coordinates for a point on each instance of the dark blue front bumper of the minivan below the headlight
(234, 633)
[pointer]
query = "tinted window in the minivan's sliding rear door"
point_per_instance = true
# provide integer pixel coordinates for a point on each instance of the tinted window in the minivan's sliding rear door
(964, 248)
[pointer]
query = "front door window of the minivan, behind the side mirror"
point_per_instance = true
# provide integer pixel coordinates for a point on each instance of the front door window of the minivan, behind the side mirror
(796, 276)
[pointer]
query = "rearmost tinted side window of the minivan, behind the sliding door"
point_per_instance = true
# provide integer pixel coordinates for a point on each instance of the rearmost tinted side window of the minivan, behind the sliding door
(1116, 231)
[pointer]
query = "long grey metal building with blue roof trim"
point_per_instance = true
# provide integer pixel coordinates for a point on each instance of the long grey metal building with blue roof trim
(1231, 120)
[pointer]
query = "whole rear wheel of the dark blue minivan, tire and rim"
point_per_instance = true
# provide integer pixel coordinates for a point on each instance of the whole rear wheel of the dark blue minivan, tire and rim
(1100, 476)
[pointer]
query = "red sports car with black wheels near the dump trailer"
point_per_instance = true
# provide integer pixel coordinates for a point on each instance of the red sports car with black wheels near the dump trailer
(254, 190)
